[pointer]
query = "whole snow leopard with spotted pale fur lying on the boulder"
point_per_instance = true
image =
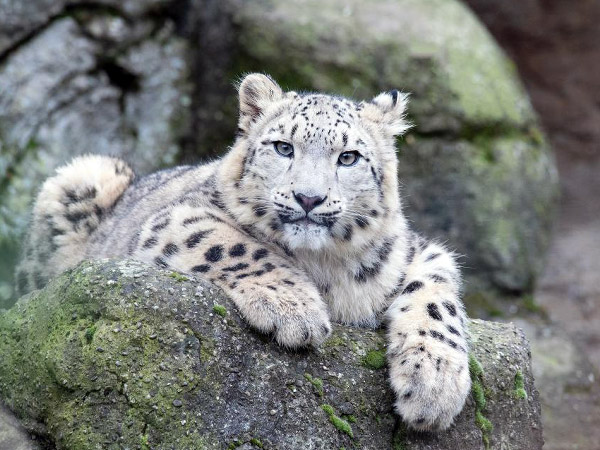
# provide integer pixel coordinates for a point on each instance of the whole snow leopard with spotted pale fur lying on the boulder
(300, 223)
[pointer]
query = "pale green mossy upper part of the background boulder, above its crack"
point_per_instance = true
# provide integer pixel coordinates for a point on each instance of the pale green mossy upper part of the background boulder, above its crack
(435, 49)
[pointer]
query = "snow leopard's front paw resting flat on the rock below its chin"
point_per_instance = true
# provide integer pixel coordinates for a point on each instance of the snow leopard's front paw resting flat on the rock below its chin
(296, 318)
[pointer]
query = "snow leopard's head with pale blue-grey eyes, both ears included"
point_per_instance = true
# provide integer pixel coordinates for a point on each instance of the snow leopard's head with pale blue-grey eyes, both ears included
(318, 171)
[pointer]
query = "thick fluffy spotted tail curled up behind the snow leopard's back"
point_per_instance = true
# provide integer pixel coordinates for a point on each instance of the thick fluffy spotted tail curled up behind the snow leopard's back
(68, 209)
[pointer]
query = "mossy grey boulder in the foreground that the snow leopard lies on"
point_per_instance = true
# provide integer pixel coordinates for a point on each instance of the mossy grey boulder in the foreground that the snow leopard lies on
(122, 355)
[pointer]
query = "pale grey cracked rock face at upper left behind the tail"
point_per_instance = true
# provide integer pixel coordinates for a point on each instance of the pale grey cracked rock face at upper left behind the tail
(82, 80)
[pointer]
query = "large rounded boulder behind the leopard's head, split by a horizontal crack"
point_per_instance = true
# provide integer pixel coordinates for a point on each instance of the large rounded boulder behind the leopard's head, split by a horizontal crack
(476, 170)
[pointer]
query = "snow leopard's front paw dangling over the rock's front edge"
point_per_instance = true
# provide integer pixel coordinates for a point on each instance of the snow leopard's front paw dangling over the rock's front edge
(431, 385)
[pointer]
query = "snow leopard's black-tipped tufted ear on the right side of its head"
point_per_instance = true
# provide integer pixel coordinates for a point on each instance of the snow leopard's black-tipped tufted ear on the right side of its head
(388, 109)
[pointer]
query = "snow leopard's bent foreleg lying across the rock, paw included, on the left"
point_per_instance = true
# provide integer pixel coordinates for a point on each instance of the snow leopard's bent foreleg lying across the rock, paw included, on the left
(271, 294)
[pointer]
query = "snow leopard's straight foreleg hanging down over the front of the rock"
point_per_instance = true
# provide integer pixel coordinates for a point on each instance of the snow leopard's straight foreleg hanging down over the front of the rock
(427, 340)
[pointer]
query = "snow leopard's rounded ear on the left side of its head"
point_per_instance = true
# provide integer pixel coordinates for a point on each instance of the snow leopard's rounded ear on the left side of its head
(256, 92)
